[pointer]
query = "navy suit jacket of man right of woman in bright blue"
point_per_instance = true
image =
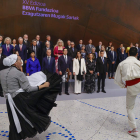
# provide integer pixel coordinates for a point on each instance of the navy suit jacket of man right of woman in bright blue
(46, 66)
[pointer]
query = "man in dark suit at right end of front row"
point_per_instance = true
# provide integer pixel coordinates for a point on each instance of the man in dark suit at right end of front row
(101, 68)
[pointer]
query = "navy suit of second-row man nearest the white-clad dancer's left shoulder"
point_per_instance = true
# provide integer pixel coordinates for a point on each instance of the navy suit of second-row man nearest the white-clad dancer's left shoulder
(110, 60)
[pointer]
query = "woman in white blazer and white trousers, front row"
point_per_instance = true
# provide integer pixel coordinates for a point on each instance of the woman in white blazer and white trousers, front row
(79, 68)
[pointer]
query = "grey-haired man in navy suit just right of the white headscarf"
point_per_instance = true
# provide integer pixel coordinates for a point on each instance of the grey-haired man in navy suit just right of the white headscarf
(22, 50)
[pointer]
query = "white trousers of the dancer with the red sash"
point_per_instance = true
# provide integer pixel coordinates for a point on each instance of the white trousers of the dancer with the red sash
(130, 103)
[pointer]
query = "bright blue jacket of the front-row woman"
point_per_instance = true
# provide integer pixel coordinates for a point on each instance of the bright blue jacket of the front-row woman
(32, 66)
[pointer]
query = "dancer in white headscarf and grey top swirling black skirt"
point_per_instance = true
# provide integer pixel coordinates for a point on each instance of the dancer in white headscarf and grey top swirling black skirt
(28, 108)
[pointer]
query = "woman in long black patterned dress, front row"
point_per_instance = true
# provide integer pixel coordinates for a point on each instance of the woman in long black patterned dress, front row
(90, 75)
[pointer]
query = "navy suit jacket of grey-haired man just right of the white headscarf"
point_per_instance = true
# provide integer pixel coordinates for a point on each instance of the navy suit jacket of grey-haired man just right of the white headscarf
(23, 53)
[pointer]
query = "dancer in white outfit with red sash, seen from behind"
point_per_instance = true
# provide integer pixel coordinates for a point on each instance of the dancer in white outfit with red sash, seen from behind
(128, 72)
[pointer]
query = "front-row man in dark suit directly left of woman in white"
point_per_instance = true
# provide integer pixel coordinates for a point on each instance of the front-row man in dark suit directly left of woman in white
(64, 62)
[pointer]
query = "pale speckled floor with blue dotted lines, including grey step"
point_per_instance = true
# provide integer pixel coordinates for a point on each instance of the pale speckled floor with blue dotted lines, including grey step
(96, 116)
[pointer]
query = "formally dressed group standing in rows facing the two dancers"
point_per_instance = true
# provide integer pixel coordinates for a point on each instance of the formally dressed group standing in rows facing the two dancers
(82, 61)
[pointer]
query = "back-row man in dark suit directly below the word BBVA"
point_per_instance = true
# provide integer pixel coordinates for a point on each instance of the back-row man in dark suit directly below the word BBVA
(27, 44)
